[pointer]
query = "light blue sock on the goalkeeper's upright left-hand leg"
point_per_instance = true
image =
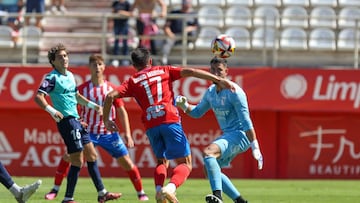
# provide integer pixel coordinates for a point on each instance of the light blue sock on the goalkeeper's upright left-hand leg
(213, 172)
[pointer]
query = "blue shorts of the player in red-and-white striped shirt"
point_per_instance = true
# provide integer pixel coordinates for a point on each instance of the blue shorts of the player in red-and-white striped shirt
(112, 143)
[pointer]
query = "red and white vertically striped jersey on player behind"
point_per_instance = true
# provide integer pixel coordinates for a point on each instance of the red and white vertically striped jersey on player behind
(97, 95)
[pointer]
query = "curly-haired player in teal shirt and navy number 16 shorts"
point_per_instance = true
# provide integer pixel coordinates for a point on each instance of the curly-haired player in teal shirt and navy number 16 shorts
(60, 85)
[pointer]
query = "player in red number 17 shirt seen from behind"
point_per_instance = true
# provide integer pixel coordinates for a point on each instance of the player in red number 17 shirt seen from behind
(152, 88)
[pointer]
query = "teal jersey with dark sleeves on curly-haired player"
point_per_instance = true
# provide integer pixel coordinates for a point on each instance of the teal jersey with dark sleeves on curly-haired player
(62, 91)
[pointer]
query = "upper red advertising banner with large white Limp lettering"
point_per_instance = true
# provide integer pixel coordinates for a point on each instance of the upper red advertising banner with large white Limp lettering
(269, 89)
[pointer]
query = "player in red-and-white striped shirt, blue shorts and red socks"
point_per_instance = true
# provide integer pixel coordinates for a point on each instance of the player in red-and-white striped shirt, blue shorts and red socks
(96, 90)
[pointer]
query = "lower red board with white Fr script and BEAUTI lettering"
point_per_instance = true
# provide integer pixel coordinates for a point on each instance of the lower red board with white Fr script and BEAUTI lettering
(322, 145)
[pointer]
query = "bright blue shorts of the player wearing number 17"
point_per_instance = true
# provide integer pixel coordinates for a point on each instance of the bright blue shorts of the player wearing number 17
(168, 141)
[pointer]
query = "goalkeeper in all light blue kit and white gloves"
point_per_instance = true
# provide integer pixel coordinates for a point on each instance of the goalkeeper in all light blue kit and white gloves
(232, 113)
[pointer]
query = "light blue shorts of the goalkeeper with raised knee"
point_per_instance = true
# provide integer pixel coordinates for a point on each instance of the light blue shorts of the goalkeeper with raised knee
(231, 144)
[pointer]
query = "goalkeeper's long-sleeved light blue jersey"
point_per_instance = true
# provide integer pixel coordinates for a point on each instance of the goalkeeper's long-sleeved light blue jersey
(230, 108)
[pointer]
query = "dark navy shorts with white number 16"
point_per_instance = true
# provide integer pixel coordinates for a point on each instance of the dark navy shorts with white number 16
(73, 134)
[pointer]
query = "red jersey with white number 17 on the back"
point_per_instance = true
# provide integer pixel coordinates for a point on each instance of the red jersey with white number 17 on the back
(152, 88)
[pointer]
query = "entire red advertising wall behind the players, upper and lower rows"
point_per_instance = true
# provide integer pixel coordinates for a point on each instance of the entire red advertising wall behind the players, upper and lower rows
(306, 121)
